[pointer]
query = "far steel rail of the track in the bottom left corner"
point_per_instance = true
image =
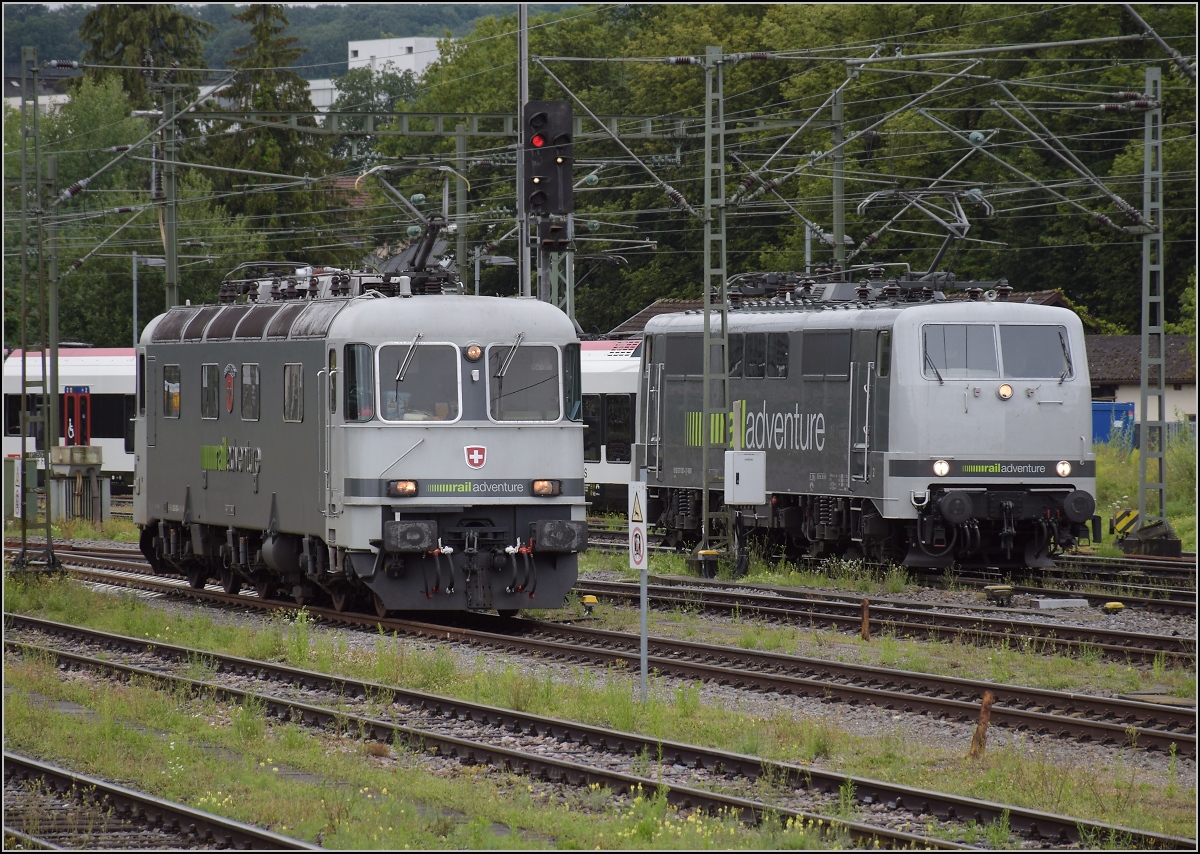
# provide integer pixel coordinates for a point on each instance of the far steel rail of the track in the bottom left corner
(139, 805)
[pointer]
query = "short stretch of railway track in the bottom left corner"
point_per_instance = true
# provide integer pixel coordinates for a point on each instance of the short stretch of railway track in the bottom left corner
(51, 808)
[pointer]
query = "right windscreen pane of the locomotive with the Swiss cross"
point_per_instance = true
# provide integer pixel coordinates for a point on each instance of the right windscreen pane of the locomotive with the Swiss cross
(524, 383)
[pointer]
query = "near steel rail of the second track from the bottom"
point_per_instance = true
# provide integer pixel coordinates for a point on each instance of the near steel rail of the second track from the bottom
(477, 753)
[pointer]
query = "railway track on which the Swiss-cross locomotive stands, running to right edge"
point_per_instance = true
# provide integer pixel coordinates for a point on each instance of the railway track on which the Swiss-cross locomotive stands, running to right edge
(1111, 721)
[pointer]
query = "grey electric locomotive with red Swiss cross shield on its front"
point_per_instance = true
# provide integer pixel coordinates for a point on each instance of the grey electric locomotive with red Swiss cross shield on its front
(418, 453)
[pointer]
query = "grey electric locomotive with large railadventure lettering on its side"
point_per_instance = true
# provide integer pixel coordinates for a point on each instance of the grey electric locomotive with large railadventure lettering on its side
(897, 424)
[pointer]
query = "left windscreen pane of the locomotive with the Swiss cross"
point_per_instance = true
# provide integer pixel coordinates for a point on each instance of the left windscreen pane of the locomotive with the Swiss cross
(418, 383)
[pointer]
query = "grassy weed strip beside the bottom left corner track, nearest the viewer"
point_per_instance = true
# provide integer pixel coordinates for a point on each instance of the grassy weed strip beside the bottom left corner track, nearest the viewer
(317, 786)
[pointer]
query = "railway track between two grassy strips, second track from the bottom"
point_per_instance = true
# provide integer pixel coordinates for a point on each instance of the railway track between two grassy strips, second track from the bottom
(706, 778)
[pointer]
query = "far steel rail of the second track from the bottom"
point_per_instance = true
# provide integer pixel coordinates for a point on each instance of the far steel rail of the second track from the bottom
(1033, 823)
